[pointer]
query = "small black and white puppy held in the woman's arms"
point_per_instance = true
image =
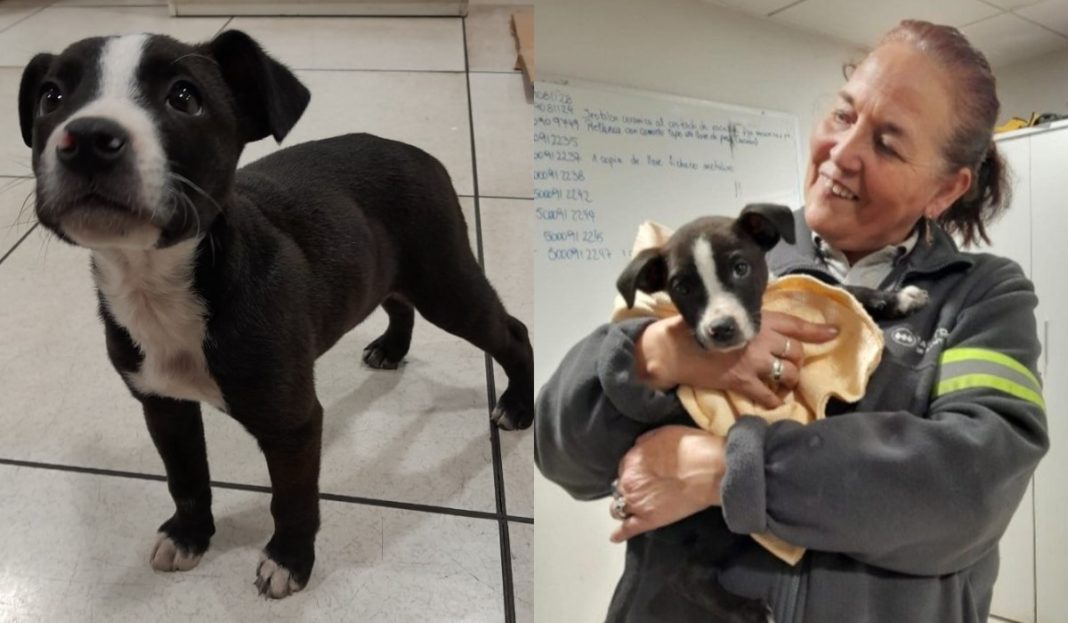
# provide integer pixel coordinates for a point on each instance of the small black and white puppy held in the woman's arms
(715, 271)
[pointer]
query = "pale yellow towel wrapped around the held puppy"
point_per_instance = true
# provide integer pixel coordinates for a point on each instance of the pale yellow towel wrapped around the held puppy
(840, 368)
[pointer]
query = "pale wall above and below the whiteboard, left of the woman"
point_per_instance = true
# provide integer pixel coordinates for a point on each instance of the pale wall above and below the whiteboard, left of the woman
(684, 48)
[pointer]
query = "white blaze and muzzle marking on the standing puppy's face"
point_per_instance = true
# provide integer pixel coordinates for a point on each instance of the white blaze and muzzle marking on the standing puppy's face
(117, 100)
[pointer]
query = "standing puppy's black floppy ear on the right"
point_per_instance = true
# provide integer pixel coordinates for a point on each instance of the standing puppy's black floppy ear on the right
(270, 99)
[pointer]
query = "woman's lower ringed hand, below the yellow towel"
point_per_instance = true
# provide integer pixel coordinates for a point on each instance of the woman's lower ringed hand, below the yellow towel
(671, 474)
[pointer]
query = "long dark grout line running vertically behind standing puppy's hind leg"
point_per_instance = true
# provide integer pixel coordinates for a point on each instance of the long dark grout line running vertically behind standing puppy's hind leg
(507, 579)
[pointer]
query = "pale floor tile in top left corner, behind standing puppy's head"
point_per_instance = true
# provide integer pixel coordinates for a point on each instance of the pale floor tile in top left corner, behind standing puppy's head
(53, 29)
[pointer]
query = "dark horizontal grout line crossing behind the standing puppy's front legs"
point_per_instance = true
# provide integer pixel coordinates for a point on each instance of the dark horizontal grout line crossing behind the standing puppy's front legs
(266, 490)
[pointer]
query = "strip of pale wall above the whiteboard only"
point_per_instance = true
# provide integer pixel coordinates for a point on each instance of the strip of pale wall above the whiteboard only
(693, 49)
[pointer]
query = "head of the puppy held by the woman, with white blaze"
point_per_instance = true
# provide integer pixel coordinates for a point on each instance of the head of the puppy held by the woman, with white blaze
(715, 271)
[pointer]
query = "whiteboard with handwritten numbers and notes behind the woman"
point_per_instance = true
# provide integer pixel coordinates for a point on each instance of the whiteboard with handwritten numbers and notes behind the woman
(607, 159)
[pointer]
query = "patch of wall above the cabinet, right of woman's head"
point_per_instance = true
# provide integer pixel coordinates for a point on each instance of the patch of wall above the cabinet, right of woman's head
(1039, 85)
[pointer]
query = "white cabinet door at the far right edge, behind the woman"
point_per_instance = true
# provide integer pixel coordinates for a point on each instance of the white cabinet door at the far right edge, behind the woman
(1049, 196)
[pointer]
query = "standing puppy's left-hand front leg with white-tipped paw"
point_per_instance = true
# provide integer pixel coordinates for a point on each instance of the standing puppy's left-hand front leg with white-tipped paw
(178, 431)
